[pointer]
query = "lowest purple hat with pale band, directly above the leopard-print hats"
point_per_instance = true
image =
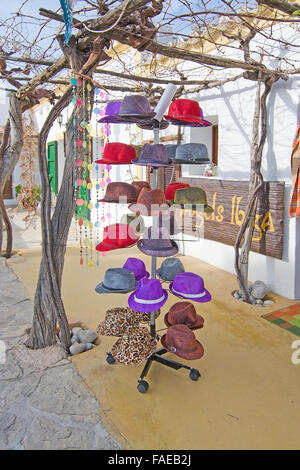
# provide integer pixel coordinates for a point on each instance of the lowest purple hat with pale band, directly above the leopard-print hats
(148, 297)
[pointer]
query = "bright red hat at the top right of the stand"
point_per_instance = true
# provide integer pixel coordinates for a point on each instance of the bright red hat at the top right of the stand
(187, 111)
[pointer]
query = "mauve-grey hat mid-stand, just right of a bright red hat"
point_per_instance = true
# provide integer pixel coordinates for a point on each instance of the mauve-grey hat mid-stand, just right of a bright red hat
(157, 242)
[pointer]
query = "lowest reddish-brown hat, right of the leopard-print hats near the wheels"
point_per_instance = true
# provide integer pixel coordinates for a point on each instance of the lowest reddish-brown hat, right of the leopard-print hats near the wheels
(180, 340)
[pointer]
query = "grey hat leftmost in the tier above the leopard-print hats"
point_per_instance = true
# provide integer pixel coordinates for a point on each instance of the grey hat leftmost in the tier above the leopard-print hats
(117, 280)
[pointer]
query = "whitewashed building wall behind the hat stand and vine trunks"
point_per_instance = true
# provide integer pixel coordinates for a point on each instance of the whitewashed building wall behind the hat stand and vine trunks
(230, 108)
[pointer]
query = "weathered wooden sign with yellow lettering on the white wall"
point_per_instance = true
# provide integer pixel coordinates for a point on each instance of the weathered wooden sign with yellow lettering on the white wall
(229, 199)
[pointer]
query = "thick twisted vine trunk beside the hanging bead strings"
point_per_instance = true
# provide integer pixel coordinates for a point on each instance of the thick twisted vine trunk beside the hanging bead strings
(48, 304)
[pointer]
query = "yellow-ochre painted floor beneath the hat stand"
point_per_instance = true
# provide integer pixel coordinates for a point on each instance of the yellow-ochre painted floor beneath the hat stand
(248, 396)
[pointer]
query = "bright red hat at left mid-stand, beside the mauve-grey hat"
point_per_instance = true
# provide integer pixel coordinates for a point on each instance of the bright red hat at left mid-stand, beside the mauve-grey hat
(117, 236)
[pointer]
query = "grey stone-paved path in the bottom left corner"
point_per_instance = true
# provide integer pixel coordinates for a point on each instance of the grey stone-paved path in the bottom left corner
(44, 402)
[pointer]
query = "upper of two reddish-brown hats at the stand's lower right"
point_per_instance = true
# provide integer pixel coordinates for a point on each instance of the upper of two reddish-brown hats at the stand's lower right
(184, 313)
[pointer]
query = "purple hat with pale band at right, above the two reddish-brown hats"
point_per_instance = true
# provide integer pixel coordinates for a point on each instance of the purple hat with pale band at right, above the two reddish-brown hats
(190, 286)
